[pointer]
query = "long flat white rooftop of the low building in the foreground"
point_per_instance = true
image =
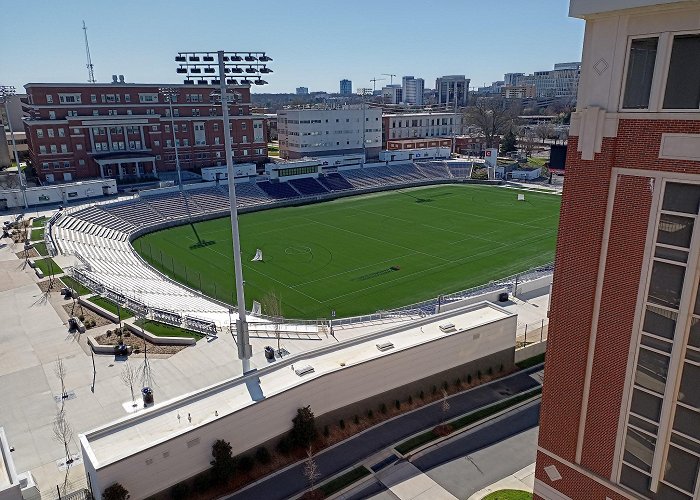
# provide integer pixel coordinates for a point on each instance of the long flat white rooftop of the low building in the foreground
(135, 433)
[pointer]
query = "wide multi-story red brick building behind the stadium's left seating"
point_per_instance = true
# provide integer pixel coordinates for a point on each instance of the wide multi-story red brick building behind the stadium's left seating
(123, 130)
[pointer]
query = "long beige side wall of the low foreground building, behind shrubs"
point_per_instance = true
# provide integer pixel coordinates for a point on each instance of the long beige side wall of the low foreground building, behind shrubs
(350, 387)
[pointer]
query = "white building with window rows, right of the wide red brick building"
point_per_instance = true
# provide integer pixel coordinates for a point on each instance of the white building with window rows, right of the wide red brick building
(329, 131)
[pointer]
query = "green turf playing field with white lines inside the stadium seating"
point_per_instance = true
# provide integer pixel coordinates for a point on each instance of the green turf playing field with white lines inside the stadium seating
(340, 254)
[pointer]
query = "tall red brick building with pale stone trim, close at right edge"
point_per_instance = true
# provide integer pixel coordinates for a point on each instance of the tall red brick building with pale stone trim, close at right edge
(621, 402)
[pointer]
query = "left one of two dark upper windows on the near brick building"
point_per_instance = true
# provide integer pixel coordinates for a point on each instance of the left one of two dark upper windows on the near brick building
(640, 73)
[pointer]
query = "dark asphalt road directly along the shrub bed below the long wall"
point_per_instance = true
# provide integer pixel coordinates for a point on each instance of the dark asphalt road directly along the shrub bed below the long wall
(291, 481)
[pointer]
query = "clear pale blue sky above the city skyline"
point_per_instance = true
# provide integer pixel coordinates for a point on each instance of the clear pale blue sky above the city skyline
(314, 43)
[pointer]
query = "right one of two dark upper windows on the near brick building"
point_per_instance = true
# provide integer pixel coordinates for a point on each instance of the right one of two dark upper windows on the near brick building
(683, 83)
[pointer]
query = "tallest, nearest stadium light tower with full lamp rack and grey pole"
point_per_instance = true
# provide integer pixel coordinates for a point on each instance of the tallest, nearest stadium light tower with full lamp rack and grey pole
(211, 70)
